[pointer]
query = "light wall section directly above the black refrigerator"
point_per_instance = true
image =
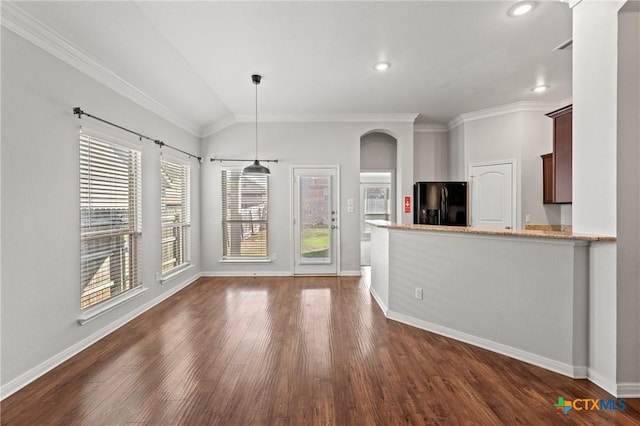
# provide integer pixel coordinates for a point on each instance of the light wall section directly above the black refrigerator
(430, 156)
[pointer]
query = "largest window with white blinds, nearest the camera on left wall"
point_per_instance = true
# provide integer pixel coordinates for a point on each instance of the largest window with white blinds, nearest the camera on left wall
(110, 216)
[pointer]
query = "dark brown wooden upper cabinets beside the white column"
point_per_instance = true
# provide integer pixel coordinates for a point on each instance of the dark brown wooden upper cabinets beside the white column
(562, 155)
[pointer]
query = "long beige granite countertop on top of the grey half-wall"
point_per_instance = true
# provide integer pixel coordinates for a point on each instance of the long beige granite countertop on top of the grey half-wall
(529, 233)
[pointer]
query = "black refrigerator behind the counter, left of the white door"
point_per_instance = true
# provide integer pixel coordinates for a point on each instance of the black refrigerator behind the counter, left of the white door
(440, 203)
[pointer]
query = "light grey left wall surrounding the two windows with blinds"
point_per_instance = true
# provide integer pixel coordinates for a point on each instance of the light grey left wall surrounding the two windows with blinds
(40, 207)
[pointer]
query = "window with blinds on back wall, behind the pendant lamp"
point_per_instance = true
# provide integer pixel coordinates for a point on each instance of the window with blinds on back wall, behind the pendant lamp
(244, 215)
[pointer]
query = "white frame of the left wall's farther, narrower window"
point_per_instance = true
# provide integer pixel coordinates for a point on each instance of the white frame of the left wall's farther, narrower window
(184, 226)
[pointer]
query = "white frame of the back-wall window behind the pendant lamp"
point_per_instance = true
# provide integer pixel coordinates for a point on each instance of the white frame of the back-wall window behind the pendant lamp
(235, 258)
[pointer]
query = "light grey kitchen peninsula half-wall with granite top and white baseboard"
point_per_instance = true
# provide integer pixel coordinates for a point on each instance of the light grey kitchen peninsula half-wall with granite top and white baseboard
(522, 293)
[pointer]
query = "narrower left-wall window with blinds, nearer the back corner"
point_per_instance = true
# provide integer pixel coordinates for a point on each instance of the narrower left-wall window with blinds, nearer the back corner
(176, 215)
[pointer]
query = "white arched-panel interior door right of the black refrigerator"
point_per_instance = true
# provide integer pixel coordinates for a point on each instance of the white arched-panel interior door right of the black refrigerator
(492, 195)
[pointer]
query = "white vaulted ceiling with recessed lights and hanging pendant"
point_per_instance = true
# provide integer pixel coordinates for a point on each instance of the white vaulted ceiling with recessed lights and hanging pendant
(316, 58)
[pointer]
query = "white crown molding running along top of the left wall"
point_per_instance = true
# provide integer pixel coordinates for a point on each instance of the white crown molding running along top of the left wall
(26, 26)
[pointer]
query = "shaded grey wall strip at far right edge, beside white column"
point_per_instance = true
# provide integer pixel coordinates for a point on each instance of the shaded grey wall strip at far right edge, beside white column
(628, 196)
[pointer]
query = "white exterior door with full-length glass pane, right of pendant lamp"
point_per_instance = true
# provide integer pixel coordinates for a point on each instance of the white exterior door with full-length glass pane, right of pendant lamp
(315, 220)
